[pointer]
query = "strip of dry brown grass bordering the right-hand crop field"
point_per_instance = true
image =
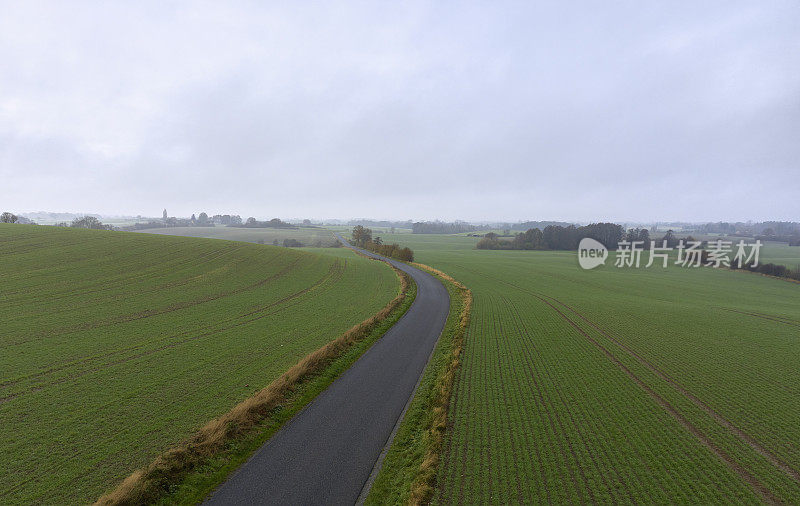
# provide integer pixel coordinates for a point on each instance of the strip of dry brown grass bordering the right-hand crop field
(422, 486)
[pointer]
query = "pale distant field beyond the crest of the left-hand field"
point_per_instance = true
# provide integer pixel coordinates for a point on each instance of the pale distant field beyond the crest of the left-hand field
(309, 236)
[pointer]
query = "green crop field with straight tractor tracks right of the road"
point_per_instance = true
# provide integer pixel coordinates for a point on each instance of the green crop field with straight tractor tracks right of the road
(619, 385)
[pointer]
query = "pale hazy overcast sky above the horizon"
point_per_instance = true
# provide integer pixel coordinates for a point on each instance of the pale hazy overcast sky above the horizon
(479, 111)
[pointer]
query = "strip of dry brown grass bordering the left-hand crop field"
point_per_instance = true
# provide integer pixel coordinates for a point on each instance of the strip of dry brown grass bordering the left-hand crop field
(148, 484)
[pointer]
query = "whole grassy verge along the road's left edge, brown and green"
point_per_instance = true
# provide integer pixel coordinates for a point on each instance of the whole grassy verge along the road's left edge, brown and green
(186, 473)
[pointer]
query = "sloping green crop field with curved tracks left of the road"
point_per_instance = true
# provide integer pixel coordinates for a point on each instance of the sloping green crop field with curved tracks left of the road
(116, 346)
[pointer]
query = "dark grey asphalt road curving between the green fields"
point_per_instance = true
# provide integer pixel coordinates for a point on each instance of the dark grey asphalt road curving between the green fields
(325, 454)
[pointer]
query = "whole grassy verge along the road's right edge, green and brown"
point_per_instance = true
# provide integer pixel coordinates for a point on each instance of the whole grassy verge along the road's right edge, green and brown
(408, 473)
